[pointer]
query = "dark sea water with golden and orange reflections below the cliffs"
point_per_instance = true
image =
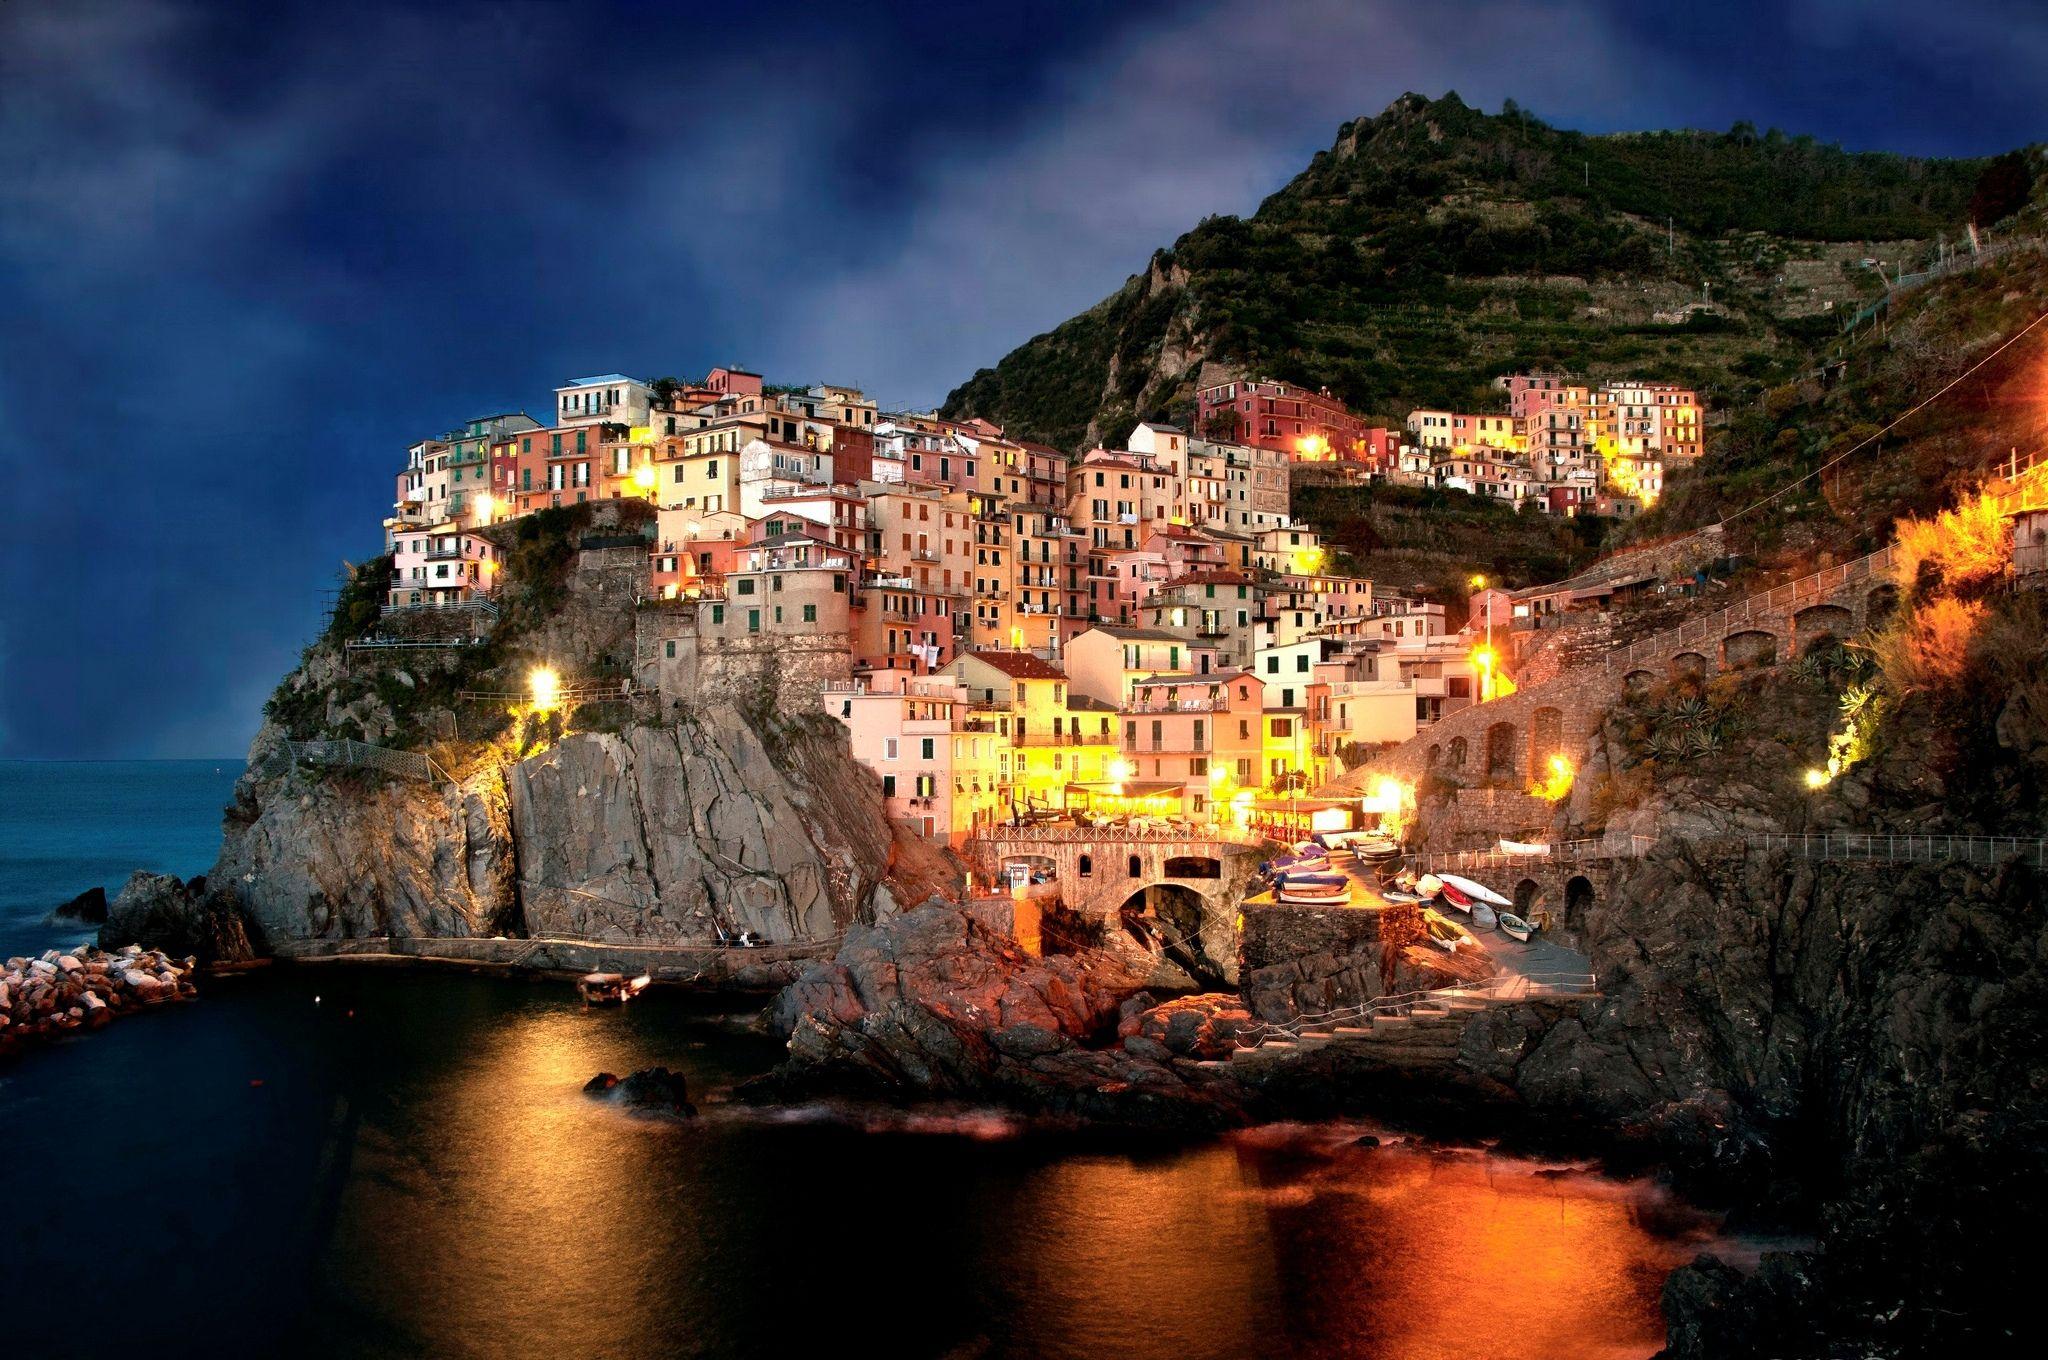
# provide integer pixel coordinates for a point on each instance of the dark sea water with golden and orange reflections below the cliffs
(400, 1164)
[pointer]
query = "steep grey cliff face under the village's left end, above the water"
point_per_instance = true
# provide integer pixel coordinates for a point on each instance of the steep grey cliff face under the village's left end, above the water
(656, 835)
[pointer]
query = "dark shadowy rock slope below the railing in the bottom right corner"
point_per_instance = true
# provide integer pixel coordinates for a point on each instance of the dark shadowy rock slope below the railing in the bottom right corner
(1852, 1044)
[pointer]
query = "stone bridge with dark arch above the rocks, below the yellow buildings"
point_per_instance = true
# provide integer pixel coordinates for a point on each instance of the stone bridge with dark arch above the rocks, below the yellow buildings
(1144, 888)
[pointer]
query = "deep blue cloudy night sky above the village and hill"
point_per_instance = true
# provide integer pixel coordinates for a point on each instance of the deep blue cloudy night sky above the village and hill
(251, 253)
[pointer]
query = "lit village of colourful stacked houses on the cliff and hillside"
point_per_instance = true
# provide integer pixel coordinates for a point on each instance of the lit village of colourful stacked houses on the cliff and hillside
(1011, 632)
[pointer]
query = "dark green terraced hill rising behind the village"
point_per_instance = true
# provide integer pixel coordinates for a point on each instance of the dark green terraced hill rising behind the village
(1439, 247)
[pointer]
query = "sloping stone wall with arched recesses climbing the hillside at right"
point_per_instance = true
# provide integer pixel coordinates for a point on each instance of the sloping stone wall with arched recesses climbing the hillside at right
(1512, 740)
